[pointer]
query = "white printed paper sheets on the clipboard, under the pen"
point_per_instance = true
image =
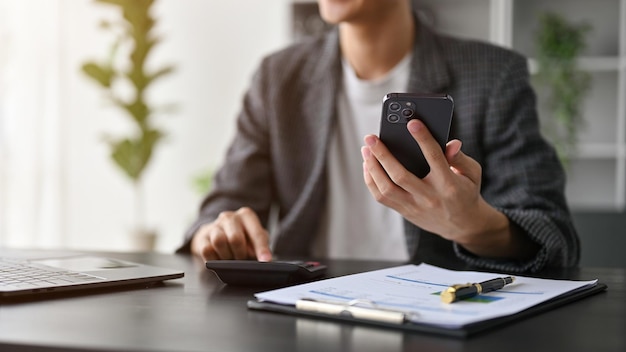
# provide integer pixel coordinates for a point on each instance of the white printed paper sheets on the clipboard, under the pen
(415, 290)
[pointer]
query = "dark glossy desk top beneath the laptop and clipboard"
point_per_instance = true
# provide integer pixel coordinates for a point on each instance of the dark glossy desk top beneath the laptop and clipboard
(199, 313)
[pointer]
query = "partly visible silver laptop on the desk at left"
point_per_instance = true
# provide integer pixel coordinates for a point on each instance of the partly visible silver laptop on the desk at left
(21, 275)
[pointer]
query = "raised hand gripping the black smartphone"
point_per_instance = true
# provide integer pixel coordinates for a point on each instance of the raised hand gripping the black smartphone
(446, 202)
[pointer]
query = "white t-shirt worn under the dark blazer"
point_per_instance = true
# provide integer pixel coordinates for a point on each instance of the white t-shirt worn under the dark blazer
(354, 224)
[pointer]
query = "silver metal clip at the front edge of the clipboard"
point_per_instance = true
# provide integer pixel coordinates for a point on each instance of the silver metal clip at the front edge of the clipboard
(357, 309)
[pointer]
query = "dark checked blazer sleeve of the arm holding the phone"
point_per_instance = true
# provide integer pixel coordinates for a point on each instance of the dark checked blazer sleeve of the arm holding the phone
(522, 175)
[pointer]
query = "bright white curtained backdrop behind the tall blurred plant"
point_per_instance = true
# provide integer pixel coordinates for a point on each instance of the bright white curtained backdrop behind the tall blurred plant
(58, 186)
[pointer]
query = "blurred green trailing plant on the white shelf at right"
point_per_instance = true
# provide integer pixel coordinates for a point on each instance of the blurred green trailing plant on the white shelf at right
(559, 44)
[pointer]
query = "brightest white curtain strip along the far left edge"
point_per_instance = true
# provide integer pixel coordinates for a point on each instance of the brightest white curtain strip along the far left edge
(30, 124)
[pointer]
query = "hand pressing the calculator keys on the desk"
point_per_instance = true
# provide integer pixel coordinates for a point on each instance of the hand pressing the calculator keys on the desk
(233, 235)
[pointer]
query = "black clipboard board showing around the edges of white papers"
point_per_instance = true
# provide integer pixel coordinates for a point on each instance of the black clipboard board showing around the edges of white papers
(464, 331)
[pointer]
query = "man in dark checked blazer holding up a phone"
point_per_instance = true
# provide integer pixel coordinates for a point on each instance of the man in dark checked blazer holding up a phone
(494, 198)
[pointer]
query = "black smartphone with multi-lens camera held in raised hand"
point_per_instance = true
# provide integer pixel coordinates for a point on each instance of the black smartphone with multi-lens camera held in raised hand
(434, 110)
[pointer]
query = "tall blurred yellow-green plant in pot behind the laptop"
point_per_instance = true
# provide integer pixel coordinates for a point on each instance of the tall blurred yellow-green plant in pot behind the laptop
(132, 153)
